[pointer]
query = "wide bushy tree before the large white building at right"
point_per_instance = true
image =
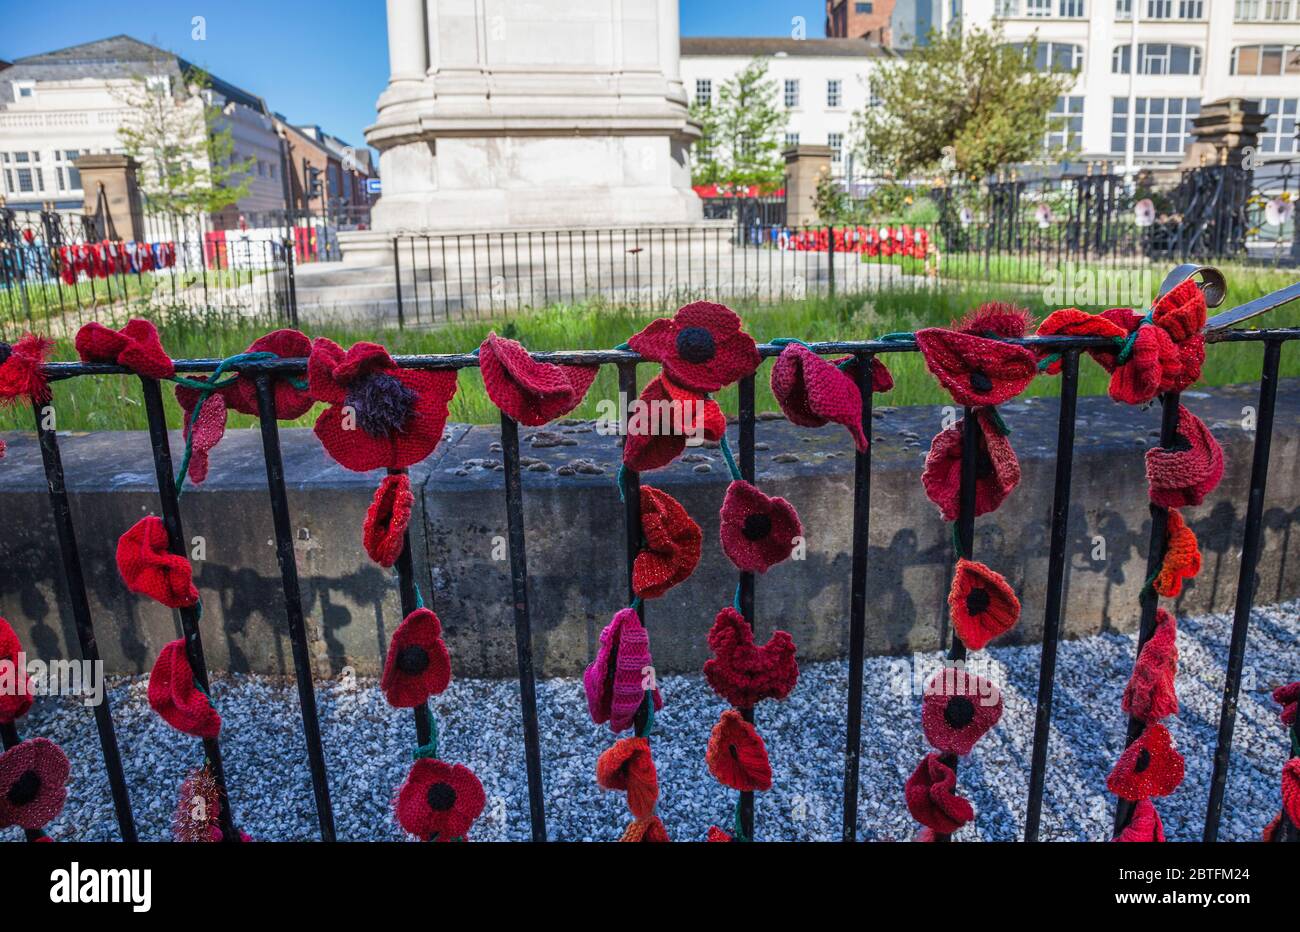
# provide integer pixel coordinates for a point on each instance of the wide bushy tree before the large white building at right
(972, 92)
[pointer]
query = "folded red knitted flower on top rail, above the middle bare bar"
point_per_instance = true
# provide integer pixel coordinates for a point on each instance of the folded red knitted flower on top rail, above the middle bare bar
(530, 392)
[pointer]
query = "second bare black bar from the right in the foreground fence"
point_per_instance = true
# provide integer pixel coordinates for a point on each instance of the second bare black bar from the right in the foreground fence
(1056, 588)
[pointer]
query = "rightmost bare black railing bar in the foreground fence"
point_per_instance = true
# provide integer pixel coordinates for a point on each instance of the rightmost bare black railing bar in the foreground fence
(1246, 584)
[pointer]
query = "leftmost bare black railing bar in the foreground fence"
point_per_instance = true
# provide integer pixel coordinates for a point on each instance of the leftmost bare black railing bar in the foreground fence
(76, 580)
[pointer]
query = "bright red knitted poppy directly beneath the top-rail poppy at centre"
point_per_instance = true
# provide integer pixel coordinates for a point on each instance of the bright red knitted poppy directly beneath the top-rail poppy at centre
(673, 415)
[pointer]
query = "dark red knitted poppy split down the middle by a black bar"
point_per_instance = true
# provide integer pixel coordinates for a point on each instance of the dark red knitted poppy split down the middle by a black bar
(998, 471)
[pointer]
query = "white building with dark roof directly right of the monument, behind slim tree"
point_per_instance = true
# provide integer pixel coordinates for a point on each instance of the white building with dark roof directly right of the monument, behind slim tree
(821, 83)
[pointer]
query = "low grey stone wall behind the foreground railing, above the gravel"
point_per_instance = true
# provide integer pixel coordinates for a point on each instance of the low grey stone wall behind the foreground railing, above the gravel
(575, 541)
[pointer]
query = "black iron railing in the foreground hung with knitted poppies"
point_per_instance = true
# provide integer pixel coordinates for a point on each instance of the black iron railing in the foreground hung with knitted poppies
(265, 372)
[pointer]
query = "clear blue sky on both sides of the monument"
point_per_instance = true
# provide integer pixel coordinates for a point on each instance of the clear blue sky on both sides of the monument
(319, 63)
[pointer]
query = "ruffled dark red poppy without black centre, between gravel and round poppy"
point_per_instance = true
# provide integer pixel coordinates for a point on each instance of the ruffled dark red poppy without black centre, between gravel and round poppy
(743, 673)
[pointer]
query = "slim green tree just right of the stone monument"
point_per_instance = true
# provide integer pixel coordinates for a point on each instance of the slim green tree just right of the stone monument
(740, 142)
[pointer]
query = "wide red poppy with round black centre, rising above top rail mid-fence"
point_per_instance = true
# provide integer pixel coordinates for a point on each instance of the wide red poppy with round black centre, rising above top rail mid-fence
(701, 348)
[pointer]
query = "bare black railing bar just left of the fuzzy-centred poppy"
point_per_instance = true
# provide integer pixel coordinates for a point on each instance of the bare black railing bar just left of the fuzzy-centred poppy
(288, 562)
